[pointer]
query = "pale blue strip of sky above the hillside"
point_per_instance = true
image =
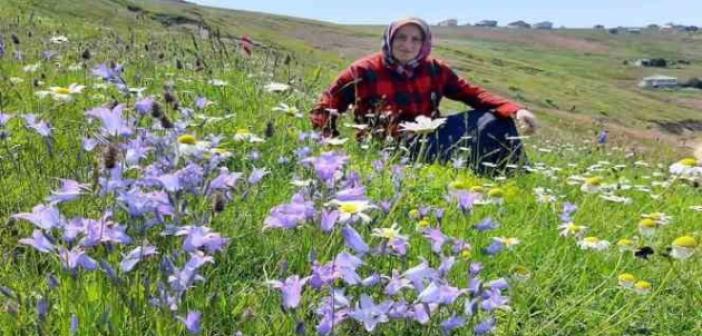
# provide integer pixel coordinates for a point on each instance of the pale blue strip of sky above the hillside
(583, 13)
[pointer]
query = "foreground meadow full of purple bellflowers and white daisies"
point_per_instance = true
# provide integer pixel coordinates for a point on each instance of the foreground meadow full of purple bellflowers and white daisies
(159, 182)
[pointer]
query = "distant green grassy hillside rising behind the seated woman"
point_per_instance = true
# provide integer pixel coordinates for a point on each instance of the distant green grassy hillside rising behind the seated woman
(565, 75)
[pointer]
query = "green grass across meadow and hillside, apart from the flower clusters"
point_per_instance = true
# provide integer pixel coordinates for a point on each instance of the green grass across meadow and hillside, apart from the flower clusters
(570, 291)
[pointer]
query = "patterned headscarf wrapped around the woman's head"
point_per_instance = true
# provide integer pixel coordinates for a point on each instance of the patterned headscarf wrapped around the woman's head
(406, 70)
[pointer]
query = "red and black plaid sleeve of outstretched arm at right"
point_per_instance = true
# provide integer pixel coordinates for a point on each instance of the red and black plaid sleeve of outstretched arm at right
(457, 88)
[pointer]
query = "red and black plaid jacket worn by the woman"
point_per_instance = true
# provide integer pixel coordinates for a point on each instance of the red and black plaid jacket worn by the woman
(376, 92)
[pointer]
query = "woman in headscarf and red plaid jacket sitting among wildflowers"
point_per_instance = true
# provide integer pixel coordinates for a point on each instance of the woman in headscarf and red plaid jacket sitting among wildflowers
(402, 82)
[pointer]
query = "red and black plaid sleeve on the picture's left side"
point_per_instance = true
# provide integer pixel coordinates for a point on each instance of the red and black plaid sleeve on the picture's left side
(336, 99)
